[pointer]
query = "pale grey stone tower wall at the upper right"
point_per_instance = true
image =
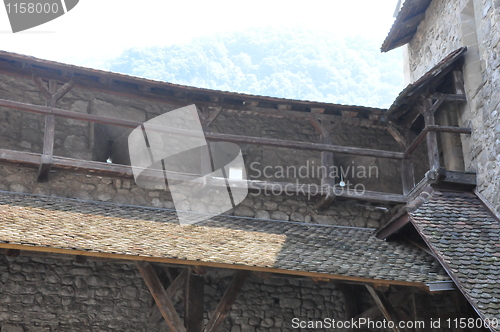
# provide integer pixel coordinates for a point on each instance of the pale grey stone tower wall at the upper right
(449, 25)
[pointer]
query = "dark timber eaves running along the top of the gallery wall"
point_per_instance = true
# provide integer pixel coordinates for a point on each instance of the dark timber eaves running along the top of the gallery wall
(162, 92)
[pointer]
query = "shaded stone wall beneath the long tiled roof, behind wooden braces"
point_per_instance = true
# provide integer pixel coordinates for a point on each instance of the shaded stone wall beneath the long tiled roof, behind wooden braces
(58, 294)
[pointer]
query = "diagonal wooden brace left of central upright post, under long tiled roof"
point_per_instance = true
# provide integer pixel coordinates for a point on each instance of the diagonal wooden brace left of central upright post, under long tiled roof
(161, 298)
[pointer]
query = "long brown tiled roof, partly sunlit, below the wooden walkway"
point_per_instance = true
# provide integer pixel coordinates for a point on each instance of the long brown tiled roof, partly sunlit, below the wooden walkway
(145, 233)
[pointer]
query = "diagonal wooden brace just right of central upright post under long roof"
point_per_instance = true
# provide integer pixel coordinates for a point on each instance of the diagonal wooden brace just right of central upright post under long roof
(226, 302)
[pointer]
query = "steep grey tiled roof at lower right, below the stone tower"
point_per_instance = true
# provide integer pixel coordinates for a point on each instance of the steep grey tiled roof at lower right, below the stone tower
(466, 238)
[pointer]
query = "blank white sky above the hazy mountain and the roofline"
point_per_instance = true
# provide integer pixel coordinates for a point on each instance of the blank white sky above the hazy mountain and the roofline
(96, 30)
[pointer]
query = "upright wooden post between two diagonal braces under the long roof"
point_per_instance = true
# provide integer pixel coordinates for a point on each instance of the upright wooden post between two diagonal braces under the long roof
(194, 302)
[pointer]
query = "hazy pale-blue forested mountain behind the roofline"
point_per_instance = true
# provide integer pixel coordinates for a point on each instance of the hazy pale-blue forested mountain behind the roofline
(294, 64)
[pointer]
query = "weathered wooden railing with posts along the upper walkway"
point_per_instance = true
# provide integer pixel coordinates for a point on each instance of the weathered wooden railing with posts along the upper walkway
(105, 169)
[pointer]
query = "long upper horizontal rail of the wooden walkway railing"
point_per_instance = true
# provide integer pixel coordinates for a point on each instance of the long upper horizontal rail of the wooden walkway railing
(209, 136)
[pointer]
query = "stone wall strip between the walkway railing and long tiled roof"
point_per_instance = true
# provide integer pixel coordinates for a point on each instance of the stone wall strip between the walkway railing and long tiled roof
(122, 191)
